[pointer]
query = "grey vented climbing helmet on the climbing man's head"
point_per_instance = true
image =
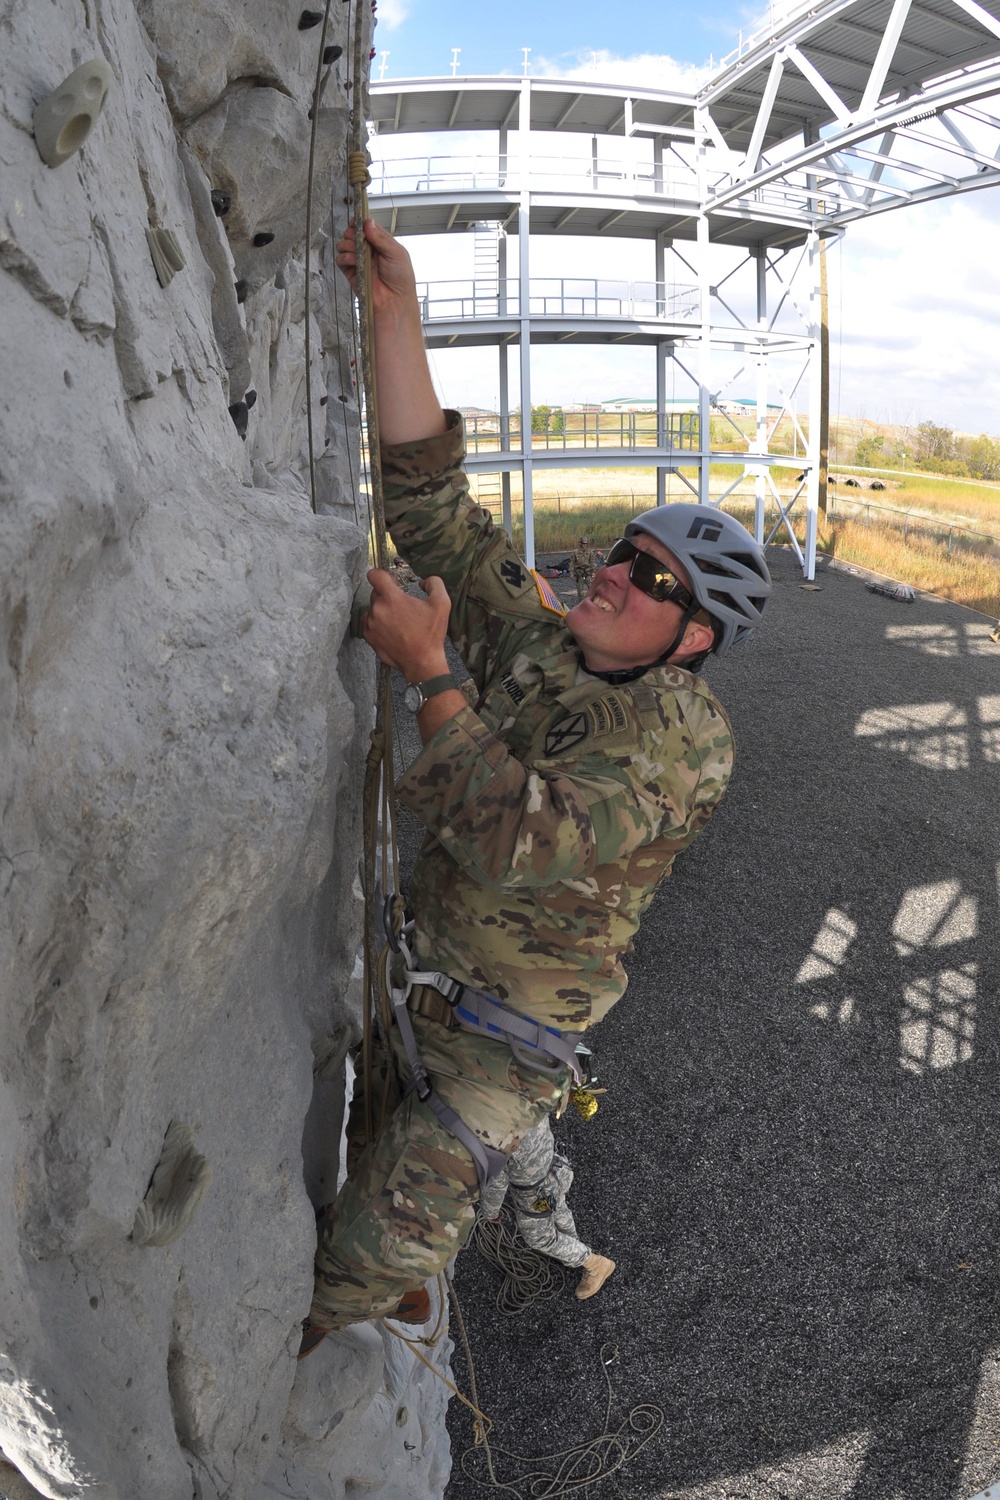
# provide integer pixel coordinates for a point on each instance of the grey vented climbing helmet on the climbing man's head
(726, 568)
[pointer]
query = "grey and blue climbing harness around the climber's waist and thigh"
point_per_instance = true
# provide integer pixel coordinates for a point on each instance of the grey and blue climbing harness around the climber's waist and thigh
(533, 1045)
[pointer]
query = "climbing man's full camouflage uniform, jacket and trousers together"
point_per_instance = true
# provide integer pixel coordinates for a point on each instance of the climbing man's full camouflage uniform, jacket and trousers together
(554, 809)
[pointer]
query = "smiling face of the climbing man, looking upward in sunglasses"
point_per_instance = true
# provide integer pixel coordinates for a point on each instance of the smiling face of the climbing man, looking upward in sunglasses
(617, 626)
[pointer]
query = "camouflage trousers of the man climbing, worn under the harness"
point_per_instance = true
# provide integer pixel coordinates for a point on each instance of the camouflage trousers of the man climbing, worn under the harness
(409, 1202)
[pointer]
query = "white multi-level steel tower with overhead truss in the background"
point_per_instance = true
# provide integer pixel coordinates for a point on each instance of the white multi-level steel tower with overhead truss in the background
(825, 115)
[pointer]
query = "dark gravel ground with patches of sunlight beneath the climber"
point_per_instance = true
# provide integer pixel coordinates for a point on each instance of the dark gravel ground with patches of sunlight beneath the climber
(797, 1163)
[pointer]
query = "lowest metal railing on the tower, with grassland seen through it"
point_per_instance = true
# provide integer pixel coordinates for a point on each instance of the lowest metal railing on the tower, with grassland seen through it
(675, 431)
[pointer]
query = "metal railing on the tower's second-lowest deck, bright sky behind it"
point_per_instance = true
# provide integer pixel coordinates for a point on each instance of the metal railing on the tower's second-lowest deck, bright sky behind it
(558, 298)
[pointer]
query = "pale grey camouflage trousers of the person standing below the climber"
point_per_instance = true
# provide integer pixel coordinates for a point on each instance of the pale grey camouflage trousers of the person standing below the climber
(539, 1180)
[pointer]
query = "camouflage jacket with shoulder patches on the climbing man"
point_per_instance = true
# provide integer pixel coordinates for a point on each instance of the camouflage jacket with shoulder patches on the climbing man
(558, 803)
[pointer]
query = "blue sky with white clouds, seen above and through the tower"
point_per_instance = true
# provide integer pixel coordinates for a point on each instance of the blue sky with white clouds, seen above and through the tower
(915, 299)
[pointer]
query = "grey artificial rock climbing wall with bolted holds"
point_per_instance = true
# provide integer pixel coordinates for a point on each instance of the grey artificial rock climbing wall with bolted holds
(182, 727)
